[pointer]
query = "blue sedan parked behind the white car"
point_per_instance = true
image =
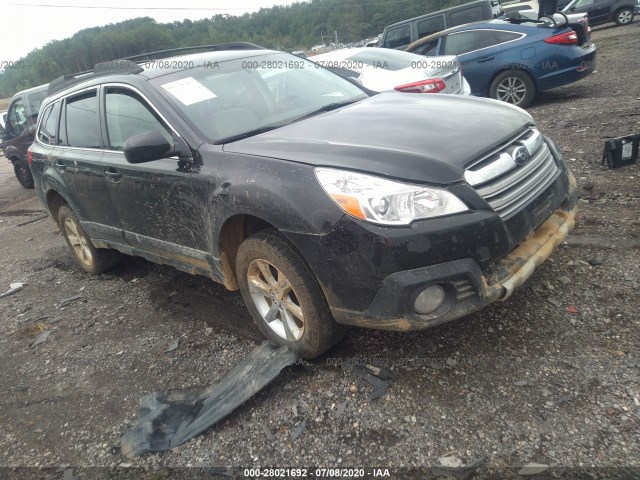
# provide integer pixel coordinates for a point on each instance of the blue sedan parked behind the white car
(514, 61)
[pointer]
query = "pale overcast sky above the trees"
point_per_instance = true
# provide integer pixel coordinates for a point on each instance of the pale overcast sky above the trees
(30, 24)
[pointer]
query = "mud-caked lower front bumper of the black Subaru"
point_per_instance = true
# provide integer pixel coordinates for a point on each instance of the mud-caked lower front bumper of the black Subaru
(467, 287)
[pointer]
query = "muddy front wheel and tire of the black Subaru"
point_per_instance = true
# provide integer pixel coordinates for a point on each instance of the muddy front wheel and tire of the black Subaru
(284, 297)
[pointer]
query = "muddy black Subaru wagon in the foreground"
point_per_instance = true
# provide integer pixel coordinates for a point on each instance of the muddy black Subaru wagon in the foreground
(326, 205)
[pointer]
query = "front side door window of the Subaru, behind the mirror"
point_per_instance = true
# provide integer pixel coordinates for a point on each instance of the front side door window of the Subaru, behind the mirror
(128, 115)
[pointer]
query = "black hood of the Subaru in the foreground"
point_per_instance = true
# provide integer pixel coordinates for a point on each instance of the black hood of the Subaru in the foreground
(420, 137)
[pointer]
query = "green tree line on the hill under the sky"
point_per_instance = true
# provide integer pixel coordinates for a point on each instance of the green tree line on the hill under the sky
(294, 27)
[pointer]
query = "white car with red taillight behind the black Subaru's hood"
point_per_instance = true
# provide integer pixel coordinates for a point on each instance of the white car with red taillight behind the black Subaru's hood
(381, 69)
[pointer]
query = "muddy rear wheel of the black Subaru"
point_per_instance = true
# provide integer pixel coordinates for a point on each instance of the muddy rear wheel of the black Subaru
(92, 260)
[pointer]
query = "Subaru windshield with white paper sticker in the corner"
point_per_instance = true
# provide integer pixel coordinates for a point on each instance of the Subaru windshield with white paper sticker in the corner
(254, 94)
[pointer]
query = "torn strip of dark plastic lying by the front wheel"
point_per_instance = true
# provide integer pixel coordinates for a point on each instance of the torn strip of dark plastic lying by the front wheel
(169, 419)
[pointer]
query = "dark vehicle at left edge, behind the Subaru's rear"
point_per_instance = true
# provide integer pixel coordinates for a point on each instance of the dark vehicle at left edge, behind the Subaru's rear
(18, 130)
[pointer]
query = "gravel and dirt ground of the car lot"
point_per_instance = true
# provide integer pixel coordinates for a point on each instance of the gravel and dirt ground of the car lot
(551, 376)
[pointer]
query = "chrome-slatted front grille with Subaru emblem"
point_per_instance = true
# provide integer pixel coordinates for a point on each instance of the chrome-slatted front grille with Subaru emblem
(511, 177)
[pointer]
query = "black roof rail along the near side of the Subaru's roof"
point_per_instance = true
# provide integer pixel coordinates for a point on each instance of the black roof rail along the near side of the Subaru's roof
(129, 65)
